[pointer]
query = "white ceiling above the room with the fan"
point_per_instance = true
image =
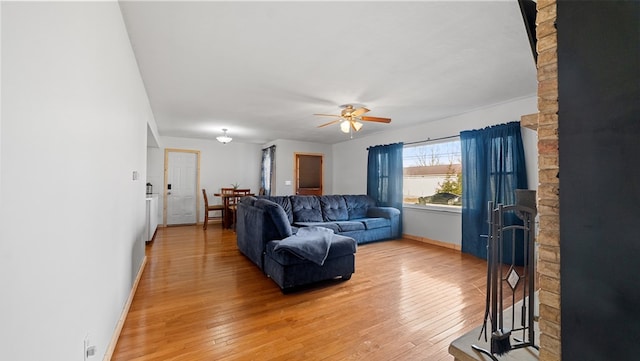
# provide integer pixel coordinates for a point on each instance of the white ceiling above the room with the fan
(262, 69)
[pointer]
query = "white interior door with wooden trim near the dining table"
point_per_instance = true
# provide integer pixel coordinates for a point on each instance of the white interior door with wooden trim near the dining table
(181, 188)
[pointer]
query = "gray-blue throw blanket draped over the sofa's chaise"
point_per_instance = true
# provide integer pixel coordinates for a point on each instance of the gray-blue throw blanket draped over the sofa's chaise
(311, 243)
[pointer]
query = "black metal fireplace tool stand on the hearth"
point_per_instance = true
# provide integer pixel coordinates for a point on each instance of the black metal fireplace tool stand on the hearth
(506, 281)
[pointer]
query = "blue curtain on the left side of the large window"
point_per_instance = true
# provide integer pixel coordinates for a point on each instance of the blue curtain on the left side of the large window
(384, 176)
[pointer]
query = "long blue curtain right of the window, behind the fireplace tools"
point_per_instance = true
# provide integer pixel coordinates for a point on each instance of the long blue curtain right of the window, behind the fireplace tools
(493, 167)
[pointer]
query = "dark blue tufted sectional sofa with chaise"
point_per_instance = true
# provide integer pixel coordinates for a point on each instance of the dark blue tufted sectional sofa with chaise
(265, 224)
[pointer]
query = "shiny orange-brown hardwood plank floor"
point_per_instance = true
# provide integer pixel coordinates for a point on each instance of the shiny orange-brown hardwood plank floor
(200, 299)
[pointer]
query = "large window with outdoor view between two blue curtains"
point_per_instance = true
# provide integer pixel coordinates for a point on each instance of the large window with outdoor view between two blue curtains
(433, 174)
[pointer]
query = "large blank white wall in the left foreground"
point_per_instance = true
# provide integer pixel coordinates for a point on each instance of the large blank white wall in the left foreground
(74, 123)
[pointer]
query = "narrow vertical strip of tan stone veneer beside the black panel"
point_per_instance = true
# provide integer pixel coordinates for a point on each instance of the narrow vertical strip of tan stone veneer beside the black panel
(548, 187)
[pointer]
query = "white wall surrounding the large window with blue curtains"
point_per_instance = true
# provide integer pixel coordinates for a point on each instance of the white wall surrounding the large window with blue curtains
(350, 168)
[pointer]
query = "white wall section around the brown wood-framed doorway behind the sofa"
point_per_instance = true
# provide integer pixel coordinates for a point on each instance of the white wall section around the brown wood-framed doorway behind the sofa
(285, 164)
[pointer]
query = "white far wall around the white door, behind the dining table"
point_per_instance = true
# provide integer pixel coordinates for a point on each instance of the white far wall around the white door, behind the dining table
(220, 166)
